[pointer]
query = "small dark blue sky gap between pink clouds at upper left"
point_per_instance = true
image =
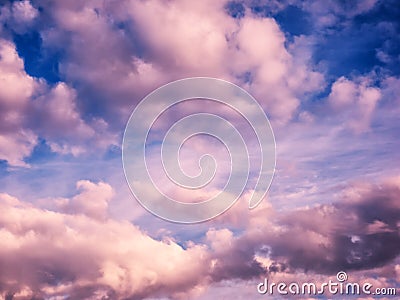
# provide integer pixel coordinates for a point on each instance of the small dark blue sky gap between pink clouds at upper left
(38, 61)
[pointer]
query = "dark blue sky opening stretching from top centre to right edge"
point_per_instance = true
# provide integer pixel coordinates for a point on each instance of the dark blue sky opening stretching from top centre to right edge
(349, 46)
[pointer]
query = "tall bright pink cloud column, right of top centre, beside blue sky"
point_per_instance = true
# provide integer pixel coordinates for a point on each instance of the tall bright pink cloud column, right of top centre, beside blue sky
(269, 65)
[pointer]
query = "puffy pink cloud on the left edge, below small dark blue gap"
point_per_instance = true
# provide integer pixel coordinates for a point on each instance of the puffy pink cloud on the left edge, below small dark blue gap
(30, 108)
